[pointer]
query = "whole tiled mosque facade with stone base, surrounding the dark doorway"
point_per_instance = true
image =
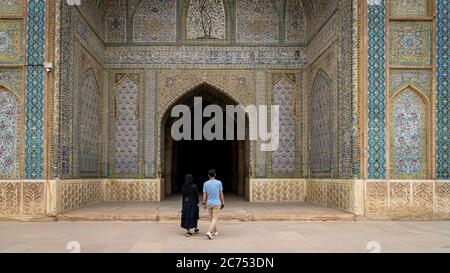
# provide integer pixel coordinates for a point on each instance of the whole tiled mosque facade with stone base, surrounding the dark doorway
(362, 85)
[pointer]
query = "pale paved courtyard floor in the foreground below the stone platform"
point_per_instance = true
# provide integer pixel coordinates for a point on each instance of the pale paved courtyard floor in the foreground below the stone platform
(344, 236)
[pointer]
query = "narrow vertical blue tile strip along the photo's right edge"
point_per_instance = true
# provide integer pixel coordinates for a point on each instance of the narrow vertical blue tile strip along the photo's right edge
(443, 91)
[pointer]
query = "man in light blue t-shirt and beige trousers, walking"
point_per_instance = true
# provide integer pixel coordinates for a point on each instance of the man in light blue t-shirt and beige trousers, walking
(213, 199)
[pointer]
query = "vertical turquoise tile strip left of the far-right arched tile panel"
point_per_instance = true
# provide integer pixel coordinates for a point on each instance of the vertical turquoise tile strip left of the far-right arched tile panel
(376, 89)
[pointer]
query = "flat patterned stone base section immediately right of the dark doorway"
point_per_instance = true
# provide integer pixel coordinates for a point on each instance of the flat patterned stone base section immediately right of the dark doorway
(277, 190)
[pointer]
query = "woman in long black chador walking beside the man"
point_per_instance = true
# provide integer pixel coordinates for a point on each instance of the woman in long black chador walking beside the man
(190, 210)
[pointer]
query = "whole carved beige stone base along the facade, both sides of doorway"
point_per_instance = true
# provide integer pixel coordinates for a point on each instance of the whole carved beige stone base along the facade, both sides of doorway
(377, 199)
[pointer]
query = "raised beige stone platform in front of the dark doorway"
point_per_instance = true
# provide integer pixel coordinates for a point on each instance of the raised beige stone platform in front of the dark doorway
(236, 209)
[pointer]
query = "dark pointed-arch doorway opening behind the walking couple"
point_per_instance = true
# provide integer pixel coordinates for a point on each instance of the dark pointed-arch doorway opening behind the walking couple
(228, 158)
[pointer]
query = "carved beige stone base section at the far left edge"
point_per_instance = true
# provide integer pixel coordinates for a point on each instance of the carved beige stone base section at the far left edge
(25, 199)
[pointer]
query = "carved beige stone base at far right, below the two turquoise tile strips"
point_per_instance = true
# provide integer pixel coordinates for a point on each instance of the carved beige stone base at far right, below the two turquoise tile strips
(402, 199)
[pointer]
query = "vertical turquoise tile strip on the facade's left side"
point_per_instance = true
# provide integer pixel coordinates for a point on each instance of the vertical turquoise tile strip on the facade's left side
(34, 117)
